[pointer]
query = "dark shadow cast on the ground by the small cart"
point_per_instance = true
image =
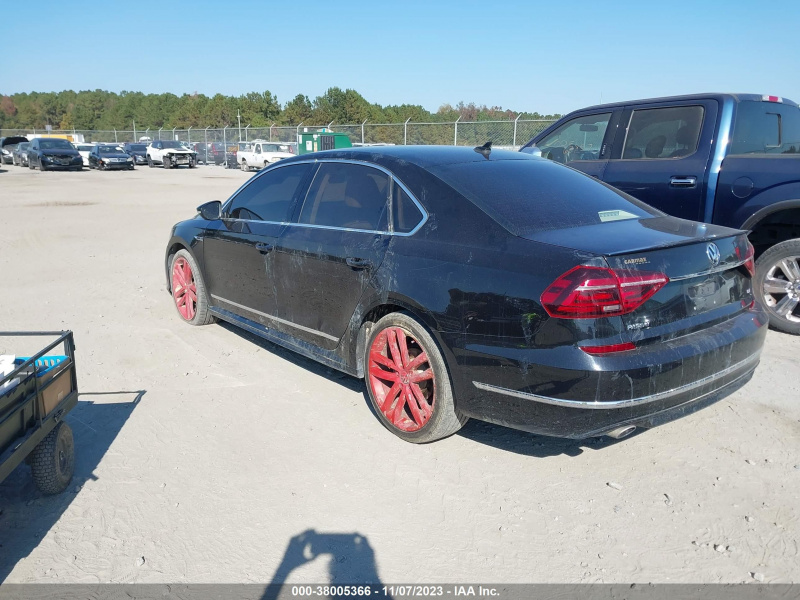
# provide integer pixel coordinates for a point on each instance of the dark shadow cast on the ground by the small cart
(26, 515)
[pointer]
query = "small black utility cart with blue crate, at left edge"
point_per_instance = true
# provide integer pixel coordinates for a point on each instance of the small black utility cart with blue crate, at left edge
(34, 398)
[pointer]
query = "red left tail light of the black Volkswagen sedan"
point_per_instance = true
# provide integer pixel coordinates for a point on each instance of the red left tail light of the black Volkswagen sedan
(591, 292)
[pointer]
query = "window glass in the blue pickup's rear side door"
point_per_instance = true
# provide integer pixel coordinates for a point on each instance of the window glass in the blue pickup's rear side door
(671, 132)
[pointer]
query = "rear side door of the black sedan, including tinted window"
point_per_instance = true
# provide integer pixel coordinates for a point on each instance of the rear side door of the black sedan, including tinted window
(327, 257)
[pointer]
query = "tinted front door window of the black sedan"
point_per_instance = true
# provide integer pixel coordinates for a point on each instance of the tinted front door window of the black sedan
(269, 196)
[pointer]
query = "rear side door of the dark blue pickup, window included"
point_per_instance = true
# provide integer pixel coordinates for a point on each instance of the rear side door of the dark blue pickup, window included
(661, 155)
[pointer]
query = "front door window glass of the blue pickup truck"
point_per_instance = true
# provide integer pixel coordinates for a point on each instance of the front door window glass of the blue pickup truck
(578, 139)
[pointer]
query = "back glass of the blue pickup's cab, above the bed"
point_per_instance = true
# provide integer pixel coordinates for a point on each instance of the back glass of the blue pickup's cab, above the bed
(766, 128)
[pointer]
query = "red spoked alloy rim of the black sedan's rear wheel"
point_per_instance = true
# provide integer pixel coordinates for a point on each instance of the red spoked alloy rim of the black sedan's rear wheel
(401, 379)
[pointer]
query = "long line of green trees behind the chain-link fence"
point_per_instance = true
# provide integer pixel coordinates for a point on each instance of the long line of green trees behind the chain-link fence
(104, 110)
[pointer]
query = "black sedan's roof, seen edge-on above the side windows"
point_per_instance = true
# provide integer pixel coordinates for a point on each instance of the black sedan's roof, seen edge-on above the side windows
(422, 156)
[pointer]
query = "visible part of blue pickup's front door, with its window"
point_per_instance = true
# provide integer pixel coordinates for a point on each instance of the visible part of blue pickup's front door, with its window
(582, 143)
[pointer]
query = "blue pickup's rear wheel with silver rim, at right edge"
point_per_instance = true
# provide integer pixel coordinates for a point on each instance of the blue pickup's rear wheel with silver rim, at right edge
(777, 285)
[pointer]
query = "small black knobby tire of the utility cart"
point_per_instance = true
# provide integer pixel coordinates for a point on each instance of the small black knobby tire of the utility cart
(53, 460)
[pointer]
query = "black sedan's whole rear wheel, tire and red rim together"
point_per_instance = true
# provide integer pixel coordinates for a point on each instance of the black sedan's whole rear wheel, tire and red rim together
(430, 413)
